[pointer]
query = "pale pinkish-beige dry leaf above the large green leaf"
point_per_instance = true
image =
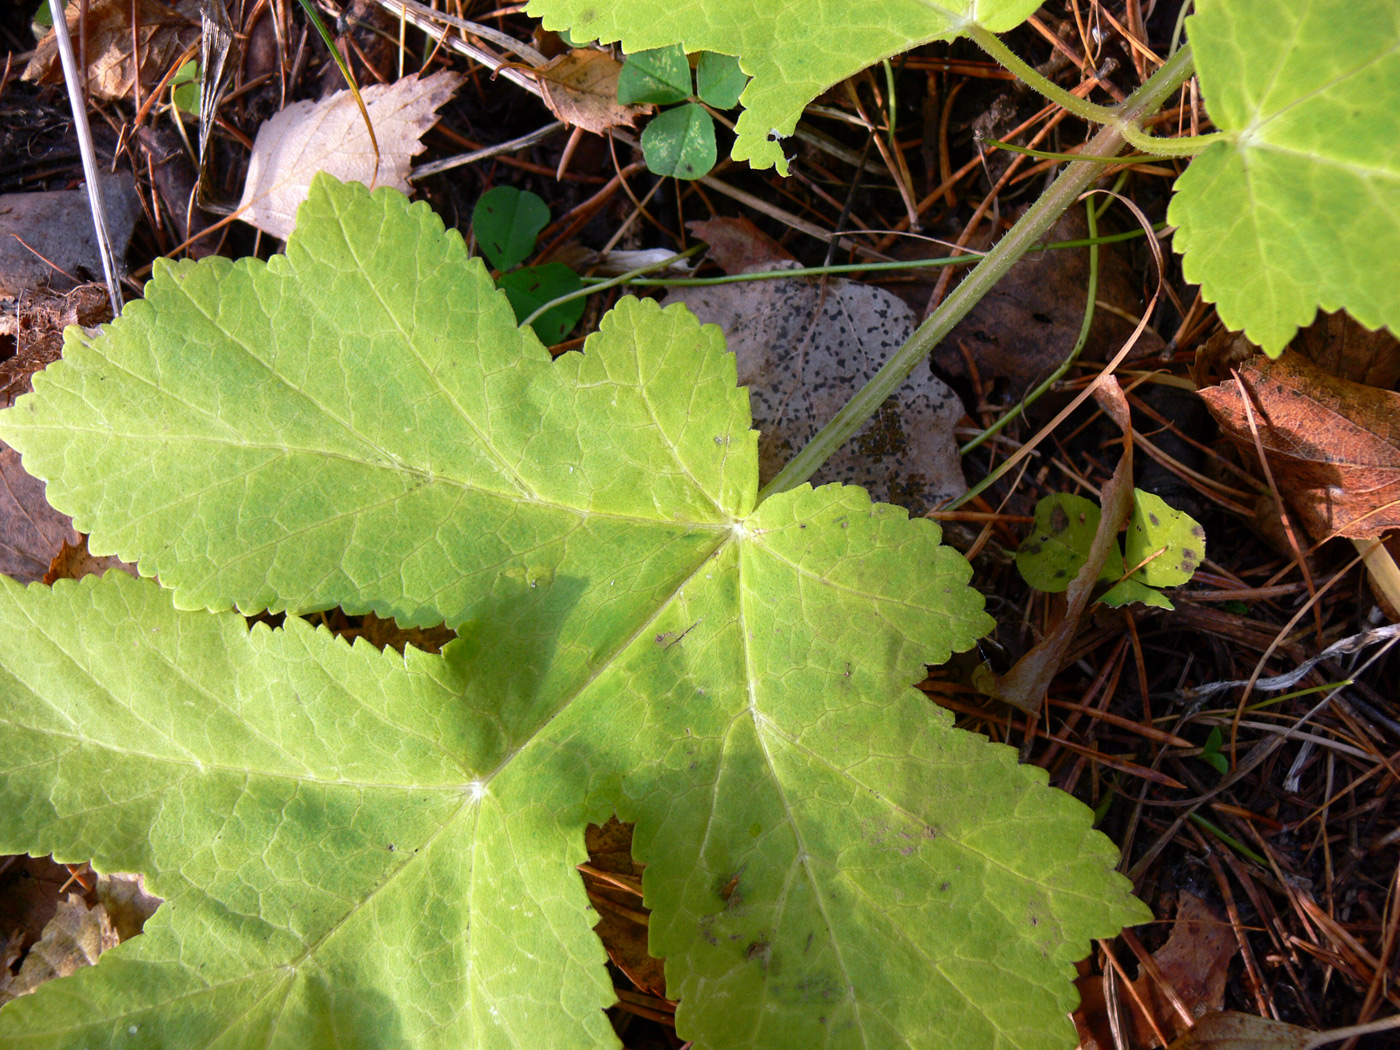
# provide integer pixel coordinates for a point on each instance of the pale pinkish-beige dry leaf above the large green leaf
(331, 136)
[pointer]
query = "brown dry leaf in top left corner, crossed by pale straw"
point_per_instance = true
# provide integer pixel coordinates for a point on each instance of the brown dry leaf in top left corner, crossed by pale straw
(163, 33)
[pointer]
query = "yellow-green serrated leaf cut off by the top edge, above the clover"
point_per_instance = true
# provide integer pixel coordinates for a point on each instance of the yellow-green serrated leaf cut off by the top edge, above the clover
(793, 52)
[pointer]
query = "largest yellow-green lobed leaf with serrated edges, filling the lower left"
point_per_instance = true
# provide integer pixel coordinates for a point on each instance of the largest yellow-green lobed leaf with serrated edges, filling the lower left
(363, 850)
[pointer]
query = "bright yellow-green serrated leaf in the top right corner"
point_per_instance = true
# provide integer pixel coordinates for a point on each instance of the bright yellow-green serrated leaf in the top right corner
(1300, 206)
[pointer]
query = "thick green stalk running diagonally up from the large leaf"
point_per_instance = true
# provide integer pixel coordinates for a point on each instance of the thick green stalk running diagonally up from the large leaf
(1038, 220)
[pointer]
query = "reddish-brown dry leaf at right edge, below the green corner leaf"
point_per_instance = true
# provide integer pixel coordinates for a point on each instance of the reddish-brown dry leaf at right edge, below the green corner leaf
(1333, 446)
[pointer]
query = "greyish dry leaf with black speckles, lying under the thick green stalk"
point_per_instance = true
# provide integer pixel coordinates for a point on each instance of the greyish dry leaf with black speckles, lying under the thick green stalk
(803, 348)
